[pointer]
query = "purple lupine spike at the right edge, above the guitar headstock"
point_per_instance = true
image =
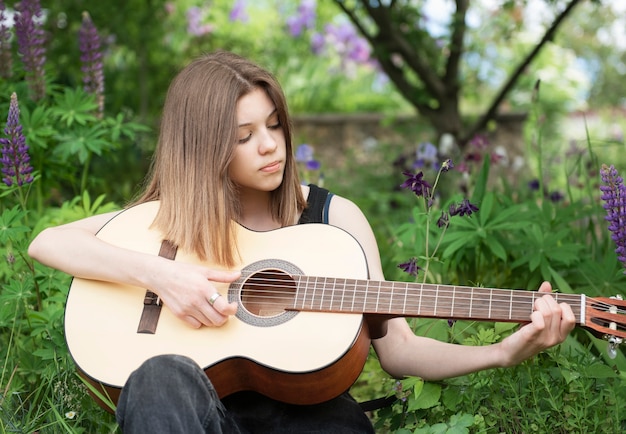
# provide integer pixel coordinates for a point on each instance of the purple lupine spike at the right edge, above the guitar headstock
(614, 197)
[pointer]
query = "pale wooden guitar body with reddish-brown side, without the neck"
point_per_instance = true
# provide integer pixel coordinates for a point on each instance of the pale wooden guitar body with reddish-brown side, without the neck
(295, 357)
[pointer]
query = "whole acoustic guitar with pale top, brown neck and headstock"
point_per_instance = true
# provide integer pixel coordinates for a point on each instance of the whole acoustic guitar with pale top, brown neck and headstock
(300, 334)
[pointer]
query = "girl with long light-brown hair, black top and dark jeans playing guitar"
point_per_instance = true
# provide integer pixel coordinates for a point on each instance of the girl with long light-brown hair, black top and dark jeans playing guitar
(224, 155)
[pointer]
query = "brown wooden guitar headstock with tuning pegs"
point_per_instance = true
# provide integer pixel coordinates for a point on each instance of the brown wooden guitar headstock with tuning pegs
(605, 317)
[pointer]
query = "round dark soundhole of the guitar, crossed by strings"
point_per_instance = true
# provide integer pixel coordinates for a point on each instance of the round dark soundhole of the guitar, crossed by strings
(268, 293)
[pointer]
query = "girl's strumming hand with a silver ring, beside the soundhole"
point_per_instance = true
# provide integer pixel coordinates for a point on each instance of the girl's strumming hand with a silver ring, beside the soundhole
(186, 290)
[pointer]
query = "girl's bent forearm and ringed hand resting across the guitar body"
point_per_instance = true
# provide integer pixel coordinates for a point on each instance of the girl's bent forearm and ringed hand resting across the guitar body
(185, 288)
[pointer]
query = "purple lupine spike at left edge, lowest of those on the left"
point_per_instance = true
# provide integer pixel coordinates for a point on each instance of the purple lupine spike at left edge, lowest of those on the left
(16, 168)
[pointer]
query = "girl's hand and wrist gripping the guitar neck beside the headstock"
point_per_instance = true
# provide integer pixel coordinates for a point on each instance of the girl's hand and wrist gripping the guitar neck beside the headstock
(550, 324)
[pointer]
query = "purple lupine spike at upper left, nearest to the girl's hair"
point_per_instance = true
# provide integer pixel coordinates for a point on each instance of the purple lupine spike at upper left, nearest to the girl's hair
(91, 59)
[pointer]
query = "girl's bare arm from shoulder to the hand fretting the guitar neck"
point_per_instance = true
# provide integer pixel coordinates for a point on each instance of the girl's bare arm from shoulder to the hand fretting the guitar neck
(402, 353)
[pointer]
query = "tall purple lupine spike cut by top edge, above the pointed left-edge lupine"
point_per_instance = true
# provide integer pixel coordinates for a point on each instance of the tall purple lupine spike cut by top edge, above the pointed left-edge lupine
(31, 44)
